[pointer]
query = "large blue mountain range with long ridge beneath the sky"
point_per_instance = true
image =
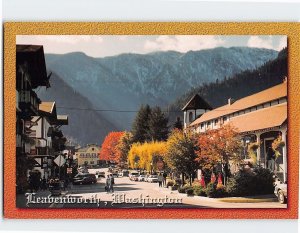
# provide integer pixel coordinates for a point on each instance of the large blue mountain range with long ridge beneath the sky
(124, 82)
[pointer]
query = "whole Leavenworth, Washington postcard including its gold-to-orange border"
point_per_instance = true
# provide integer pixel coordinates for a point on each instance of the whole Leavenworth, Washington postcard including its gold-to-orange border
(151, 120)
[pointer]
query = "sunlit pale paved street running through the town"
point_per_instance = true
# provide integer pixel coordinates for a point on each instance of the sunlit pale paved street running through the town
(149, 194)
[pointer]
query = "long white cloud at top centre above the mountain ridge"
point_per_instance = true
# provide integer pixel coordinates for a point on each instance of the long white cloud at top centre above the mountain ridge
(183, 43)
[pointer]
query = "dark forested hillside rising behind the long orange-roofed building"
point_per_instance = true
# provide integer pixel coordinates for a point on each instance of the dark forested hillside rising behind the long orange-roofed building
(238, 86)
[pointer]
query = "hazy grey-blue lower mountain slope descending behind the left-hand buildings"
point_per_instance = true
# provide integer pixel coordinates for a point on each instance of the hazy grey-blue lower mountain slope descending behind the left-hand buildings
(84, 126)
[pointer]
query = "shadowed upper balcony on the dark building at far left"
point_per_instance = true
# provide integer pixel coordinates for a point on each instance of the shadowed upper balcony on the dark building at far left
(28, 100)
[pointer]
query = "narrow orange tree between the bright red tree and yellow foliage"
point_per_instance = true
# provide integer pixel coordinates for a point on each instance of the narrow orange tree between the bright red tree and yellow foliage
(123, 147)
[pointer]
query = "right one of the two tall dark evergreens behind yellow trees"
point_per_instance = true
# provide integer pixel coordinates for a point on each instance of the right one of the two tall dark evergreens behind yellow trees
(158, 125)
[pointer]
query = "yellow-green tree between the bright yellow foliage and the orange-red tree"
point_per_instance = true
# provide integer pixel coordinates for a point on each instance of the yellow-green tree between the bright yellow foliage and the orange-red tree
(181, 154)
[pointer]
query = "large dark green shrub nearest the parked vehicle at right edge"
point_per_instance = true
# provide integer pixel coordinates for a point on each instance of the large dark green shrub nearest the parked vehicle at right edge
(244, 183)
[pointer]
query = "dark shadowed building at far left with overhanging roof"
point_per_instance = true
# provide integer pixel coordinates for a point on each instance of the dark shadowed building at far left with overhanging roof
(30, 74)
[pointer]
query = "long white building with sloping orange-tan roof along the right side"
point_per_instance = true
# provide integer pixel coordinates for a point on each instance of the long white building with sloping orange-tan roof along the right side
(260, 118)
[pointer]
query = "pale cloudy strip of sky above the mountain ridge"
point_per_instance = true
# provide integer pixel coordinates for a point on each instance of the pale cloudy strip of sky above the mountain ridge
(110, 45)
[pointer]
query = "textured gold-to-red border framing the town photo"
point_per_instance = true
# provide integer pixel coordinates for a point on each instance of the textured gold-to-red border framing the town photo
(11, 29)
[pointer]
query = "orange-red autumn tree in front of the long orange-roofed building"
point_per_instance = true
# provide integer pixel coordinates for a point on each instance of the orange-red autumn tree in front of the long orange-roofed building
(218, 147)
